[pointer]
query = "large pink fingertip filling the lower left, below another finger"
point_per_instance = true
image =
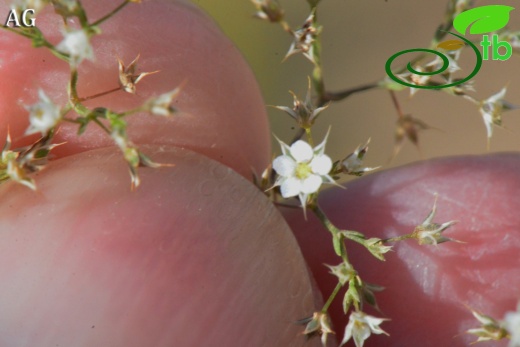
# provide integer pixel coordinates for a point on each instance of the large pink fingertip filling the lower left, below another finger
(186, 260)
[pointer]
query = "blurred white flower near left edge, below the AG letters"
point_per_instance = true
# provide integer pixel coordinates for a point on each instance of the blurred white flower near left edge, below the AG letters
(43, 116)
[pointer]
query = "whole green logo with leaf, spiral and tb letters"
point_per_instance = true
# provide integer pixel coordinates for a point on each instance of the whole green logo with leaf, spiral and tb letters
(479, 20)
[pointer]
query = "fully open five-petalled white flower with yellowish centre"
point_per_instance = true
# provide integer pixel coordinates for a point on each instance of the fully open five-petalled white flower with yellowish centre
(302, 169)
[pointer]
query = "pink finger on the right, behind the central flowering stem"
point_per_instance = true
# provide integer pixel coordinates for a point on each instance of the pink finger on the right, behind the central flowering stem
(428, 286)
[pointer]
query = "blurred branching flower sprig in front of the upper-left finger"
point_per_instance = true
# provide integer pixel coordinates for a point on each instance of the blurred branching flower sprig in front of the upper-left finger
(45, 116)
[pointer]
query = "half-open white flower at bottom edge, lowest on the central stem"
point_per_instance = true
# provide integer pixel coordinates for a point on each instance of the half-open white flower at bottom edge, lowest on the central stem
(360, 326)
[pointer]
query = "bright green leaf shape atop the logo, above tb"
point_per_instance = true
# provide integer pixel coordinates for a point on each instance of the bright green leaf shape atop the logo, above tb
(483, 19)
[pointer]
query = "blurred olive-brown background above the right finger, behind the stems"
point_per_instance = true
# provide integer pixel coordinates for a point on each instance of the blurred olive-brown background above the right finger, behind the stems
(357, 38)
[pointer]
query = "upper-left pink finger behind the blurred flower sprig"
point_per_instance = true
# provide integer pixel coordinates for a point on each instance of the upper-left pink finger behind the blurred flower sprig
(223, 115)
